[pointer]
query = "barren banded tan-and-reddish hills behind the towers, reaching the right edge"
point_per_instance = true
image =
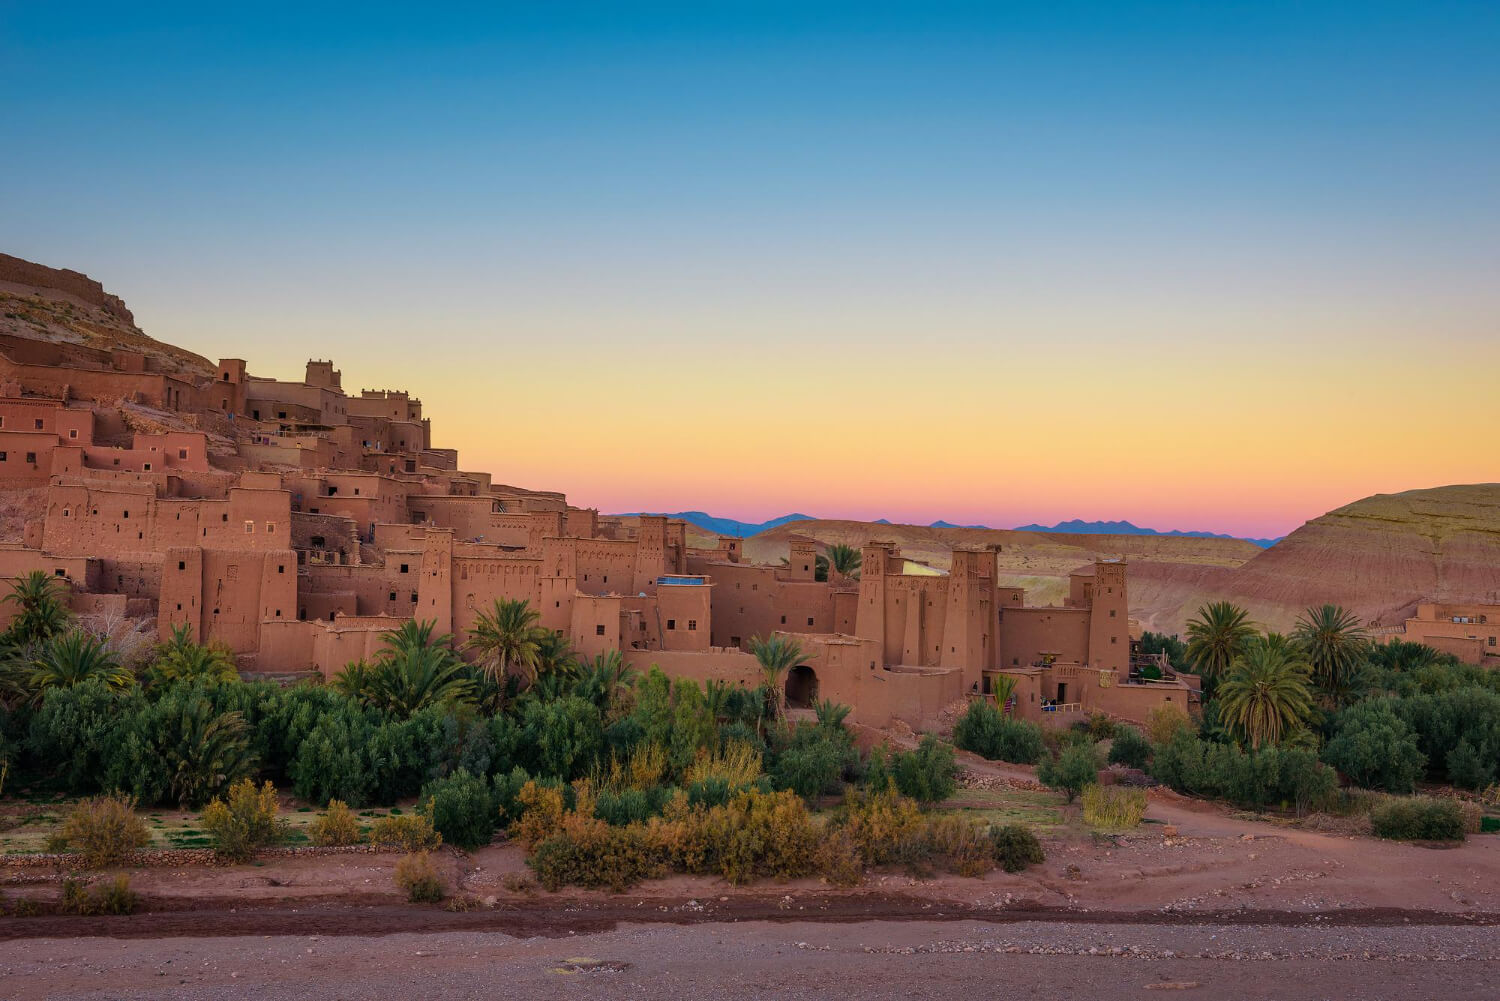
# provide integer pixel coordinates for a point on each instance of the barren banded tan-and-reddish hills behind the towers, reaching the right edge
(1379, 558)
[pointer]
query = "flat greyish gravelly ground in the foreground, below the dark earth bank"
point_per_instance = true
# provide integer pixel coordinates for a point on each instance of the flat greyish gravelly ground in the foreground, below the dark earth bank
(758, 960)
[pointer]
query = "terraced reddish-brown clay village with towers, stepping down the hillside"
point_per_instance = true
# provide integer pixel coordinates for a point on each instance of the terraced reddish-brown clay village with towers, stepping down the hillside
(298, 525)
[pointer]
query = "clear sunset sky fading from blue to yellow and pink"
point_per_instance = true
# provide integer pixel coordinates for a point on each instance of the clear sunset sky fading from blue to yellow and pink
(1196, 266)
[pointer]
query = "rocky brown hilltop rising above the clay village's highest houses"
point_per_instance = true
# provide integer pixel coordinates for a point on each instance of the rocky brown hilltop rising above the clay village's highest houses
(64, 307)
